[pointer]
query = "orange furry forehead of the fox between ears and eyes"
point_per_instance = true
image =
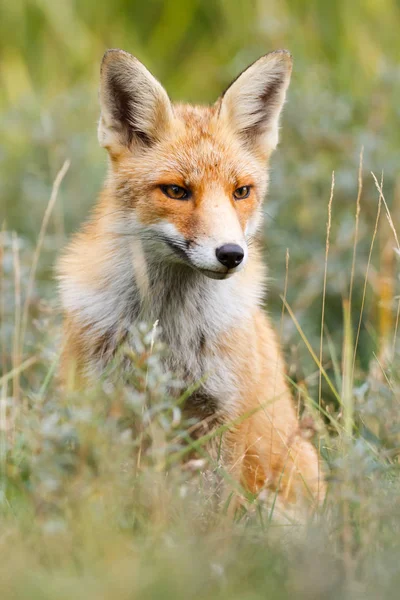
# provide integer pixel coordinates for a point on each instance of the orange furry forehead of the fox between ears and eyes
(197, 151)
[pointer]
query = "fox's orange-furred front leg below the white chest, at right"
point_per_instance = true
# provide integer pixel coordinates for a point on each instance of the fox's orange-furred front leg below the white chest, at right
(265, 448)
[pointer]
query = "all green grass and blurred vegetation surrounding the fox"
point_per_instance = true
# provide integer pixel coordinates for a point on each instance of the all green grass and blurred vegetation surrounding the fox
(81, 515)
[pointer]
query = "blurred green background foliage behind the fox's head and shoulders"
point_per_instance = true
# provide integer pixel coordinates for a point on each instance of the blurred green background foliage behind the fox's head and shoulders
(344, 96)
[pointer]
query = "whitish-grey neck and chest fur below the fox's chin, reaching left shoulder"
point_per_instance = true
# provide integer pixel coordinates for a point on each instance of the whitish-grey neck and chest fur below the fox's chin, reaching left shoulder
(130, 283)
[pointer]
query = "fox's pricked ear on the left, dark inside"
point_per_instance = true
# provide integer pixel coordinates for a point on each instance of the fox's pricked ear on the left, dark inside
(135, 108)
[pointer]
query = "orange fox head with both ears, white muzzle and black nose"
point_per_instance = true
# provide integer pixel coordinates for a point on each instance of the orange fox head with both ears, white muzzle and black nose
(190, 180)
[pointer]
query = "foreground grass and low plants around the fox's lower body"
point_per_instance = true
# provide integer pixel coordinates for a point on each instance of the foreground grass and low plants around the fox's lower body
(95, 500)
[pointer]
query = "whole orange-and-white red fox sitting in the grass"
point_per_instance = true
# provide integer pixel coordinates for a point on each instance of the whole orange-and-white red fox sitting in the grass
(173, 239)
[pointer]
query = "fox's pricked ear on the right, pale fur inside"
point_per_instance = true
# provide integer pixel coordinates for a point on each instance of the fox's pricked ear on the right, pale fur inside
(253, 102)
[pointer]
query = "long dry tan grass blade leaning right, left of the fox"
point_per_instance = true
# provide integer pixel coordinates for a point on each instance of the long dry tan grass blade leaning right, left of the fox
(46, 217)
